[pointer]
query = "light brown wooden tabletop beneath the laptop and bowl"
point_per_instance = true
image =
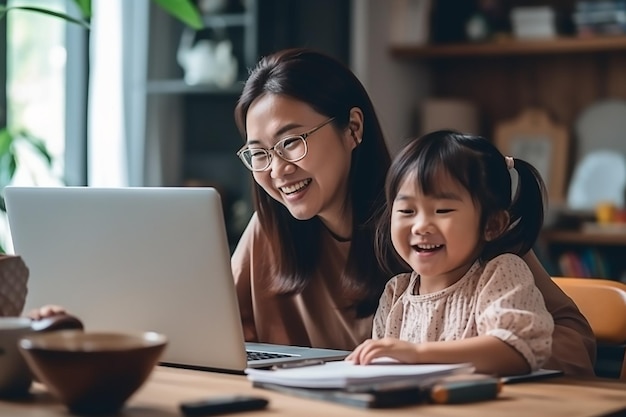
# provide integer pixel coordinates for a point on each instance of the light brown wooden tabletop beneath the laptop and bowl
(160, 396)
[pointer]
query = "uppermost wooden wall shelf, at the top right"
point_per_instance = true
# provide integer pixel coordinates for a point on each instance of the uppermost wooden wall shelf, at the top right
(511, 47)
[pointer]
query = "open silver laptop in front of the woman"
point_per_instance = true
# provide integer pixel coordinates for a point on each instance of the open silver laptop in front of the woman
(142, 259)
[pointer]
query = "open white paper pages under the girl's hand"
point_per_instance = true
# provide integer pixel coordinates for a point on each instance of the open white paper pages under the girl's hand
(343, 374)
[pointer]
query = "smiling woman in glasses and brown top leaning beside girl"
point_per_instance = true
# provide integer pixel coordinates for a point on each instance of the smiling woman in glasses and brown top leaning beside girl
(305, 268)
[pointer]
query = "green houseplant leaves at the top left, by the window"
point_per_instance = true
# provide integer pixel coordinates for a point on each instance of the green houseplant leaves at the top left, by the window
(11, 139)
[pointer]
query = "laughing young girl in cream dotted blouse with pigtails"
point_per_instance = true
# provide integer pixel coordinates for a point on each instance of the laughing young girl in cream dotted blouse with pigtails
(451, 216)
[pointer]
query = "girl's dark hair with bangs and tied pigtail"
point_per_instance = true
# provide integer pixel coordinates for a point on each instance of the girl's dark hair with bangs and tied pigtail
(481, 169)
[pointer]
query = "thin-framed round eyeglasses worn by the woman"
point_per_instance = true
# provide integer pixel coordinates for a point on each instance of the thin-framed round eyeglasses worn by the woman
(291, 149)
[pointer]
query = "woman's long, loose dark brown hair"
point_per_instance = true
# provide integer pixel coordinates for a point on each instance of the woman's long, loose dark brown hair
(331, 89)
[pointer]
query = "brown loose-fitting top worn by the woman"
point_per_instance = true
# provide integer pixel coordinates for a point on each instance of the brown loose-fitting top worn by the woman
(315, 317)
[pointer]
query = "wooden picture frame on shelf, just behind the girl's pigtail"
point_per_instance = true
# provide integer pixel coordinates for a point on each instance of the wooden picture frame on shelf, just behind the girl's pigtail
(533, 137)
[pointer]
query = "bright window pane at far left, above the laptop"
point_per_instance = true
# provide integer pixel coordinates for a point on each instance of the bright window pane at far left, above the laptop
(36, 70)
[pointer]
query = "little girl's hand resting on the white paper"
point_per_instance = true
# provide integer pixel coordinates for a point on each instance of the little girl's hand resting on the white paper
(390, 347)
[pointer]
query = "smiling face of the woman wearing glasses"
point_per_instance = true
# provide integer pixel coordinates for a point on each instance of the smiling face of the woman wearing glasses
(315, 185)
